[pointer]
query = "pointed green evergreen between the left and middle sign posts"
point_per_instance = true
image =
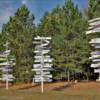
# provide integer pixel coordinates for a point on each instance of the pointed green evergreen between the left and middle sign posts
(19, 31)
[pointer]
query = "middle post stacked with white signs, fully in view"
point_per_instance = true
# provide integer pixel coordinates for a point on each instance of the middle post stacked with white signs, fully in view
(42, 65)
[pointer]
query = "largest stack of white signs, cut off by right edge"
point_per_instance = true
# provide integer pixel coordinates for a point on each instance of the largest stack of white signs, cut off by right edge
(94, 27)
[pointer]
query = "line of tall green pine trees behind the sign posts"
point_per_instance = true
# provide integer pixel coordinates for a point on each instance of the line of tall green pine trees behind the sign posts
(70, 48)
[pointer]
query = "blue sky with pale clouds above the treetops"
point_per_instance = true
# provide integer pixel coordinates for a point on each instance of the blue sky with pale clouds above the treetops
(37, 7)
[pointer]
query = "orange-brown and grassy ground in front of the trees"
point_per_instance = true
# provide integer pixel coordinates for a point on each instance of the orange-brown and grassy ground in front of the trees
(55, 91)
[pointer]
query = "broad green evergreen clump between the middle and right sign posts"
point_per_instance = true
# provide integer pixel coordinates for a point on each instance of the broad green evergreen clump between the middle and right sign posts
(66, 26)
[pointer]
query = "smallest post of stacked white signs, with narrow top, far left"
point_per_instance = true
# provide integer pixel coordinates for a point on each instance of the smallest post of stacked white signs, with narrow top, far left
(6, 66)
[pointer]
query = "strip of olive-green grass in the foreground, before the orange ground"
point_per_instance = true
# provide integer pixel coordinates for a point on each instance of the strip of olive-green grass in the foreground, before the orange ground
(51, 95)
